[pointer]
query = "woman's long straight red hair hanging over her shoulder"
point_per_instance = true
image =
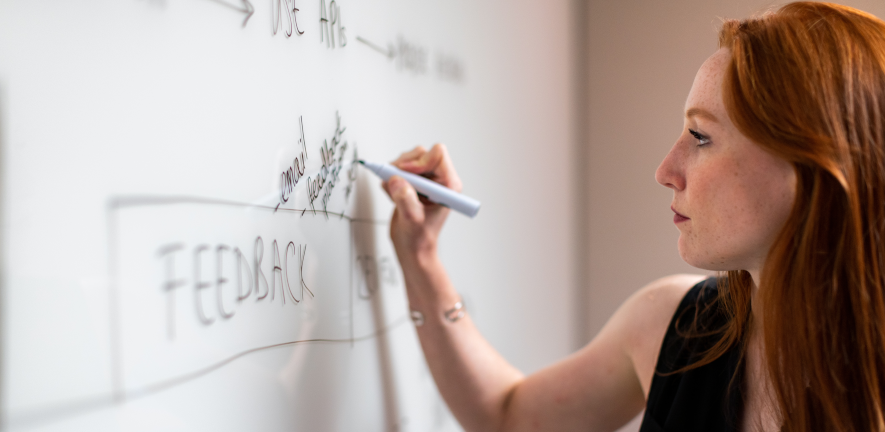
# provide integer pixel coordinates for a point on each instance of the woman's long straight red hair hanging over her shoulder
(807, 83)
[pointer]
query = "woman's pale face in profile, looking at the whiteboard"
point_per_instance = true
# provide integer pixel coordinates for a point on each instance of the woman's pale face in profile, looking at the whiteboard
(730, 197)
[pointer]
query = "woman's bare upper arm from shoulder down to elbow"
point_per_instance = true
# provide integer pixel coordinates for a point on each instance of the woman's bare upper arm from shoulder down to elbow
(606, 383)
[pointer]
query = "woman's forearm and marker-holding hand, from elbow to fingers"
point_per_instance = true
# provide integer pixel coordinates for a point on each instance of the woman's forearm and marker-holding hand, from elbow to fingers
(473, 379)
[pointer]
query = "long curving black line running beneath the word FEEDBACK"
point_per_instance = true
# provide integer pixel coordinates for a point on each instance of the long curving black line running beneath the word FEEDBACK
(64, 411)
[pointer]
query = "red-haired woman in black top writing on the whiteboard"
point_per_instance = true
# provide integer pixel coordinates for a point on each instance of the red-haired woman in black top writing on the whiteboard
(778, 179)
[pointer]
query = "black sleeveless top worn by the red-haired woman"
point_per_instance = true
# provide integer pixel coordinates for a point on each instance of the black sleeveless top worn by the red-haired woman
(701, 399)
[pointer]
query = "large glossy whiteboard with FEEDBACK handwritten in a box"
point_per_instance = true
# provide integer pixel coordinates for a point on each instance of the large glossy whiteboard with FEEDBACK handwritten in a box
(187, 244)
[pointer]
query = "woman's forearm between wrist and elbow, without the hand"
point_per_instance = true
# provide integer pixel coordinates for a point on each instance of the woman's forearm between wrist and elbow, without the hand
(472, 377)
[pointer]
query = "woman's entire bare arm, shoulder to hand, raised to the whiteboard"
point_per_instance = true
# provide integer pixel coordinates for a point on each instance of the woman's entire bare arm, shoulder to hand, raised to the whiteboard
(598, 388)
